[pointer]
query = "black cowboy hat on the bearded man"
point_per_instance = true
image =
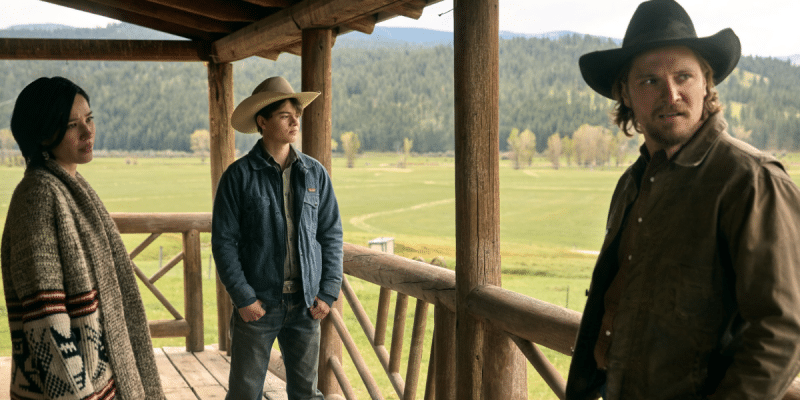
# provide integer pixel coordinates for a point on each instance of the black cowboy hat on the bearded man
(660, 23)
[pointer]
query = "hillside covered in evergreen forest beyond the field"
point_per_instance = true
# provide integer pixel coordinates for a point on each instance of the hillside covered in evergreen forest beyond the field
(385, 94)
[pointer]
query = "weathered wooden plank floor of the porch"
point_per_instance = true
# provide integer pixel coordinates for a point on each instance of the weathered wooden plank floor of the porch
(184, 375)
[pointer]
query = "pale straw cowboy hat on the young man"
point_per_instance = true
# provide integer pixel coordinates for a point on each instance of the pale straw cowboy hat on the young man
(267, 92)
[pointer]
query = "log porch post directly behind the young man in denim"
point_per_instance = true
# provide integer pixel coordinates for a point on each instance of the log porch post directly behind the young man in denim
(316, 77)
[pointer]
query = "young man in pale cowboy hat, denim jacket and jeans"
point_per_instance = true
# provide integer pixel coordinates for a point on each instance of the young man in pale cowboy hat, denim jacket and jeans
(277, 241)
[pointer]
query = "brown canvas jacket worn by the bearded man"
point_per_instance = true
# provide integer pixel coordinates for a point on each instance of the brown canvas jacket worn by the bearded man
(712, 299)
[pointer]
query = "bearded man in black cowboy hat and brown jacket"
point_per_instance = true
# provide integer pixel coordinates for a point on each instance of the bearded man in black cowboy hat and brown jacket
(696, 291)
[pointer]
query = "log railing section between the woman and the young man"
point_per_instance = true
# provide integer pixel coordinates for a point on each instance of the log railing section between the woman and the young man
(189, 225)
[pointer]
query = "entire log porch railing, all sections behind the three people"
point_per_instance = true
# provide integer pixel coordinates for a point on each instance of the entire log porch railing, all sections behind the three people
(527, 321)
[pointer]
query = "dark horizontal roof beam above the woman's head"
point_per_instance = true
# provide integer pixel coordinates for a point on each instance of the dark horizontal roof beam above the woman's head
(103, 50)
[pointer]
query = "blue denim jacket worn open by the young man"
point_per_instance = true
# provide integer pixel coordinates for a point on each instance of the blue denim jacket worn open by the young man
(248, 232)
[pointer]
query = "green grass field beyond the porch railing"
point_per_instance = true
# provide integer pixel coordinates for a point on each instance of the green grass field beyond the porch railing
(550, 222)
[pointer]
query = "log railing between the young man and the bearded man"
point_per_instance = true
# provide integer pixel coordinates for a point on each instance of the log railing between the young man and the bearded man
(526, 320)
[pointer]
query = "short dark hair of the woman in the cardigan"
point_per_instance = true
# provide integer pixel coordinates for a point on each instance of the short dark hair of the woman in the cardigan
(41, 115)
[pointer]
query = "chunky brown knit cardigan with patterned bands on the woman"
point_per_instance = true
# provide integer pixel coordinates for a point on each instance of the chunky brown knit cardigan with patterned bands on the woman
(78, 325)
